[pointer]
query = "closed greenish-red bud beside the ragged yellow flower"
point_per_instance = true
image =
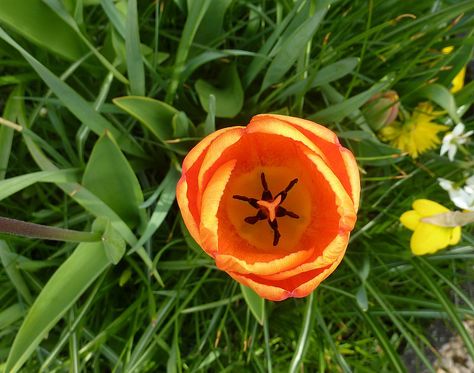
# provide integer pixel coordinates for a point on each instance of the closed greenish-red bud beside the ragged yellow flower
(381, 109)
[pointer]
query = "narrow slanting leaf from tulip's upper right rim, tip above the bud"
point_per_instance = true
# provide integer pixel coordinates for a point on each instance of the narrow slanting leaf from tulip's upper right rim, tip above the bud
(337, 112)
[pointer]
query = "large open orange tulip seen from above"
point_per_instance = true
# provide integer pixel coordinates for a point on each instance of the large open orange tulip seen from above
(273, 203)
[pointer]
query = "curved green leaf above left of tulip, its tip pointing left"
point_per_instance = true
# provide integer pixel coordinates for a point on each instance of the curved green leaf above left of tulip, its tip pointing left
(155, 115)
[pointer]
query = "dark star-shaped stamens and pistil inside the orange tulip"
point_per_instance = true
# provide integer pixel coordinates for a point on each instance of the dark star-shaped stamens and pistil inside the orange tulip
(269, 207)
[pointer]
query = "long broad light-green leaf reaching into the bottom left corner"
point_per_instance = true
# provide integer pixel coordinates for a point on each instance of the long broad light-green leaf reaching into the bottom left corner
(62, 290)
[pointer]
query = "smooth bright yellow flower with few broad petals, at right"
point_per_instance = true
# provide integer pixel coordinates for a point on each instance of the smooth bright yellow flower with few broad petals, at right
(428, 238)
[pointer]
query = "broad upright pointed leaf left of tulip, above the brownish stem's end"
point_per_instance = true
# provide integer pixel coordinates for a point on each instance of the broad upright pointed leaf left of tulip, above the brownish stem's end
(110, 177)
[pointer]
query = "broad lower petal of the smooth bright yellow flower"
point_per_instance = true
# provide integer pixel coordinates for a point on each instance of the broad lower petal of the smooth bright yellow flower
(428, 238)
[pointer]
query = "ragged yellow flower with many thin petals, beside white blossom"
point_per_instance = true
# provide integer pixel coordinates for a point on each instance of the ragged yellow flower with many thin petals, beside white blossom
(417, 134)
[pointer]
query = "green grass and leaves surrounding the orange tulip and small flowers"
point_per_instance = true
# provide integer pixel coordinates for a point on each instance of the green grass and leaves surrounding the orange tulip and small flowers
(116, 101)
